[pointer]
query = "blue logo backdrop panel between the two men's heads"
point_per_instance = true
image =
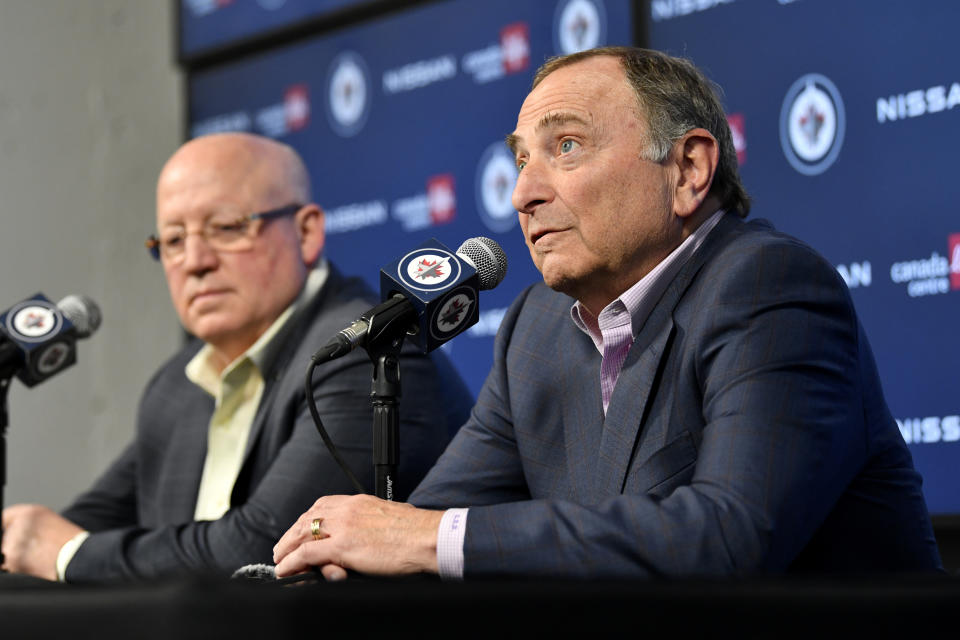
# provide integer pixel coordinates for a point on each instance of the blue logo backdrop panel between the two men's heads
(401, 122)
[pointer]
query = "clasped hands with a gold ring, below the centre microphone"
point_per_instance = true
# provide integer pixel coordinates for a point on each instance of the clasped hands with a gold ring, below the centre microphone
(362, 533)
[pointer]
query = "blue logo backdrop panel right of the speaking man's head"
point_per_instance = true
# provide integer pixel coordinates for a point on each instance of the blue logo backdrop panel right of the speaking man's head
(847, 118)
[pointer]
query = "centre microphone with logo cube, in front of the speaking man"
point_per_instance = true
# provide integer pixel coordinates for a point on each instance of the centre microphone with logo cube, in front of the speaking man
(430, 293)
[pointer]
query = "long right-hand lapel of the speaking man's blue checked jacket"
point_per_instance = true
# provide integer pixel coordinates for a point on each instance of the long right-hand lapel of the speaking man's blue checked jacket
(623, 430)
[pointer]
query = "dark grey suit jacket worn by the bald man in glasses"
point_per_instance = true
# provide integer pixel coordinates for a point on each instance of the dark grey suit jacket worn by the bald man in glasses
(140, 512)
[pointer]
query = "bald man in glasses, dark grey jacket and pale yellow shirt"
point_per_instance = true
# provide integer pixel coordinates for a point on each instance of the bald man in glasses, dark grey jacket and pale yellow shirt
(226, 455)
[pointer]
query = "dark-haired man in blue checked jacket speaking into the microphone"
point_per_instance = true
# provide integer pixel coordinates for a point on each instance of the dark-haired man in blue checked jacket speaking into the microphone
(686, 394)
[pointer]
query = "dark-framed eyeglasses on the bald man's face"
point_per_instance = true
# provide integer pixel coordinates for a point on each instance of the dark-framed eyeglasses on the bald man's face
(222, 234)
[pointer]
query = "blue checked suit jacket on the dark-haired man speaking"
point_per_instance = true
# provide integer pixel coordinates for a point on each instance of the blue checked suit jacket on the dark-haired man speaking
(747, 433)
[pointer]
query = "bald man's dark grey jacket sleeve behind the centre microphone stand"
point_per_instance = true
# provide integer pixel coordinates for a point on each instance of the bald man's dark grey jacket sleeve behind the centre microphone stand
(301, 471)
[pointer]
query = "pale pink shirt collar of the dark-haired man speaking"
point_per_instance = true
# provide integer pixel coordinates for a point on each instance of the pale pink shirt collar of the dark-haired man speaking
(640, 299)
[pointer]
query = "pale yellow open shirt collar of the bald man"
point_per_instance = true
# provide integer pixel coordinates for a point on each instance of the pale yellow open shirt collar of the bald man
(201, 370)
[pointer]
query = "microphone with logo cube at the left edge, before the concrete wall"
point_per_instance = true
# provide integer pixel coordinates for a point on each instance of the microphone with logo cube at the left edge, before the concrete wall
(38, 338)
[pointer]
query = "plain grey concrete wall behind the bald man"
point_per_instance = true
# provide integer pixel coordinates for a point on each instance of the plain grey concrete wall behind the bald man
(90, 107)
